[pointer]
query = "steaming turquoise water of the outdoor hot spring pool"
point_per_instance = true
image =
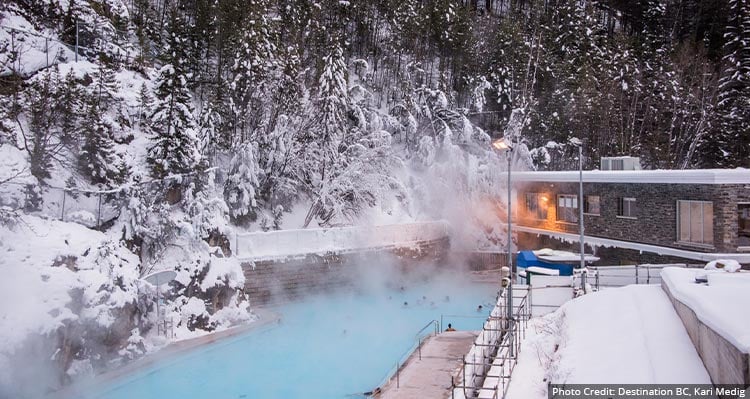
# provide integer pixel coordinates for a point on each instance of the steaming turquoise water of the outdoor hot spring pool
(327, 347)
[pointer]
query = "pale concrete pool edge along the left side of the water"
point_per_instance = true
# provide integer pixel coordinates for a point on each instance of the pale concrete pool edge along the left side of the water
(264, 318)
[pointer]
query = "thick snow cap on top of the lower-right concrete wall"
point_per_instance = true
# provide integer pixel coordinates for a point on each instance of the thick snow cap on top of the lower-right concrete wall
(721, 304)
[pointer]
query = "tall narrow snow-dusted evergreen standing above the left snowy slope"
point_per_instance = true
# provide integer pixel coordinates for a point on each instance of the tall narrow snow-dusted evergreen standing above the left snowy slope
(172, 122)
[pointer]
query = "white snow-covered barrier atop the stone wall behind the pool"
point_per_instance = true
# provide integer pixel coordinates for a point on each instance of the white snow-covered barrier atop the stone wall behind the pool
(283, 243)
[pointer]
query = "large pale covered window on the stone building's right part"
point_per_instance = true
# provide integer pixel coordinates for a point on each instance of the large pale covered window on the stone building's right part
(695, 222)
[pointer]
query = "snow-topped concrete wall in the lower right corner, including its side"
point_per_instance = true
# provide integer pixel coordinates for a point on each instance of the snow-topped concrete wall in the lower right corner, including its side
(716, 318)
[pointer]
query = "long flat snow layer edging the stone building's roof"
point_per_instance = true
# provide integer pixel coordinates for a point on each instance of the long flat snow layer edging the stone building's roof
(684, 176)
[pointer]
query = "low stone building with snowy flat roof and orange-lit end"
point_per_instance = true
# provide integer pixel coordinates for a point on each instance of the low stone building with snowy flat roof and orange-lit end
(639, 216)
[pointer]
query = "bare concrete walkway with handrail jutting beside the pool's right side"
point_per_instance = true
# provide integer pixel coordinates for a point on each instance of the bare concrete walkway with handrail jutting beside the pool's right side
(431, 376)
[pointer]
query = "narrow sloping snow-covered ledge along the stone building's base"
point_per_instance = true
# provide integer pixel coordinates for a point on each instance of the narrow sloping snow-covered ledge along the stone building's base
(659, 250)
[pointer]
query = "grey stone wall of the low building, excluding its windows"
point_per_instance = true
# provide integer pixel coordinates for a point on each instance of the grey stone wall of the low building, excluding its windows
(656, 215)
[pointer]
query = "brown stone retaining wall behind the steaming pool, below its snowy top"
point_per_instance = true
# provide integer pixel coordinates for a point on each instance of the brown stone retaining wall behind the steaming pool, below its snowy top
(281, 280)
